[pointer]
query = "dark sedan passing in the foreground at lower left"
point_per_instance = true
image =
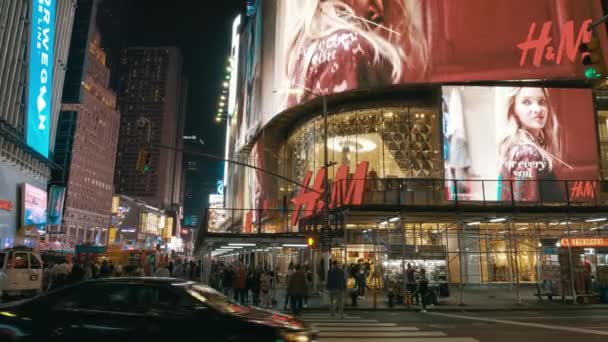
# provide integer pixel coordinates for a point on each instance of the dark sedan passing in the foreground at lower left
(144, 309)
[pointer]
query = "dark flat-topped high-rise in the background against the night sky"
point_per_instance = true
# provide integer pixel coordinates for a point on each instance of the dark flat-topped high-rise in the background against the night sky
(152, 101)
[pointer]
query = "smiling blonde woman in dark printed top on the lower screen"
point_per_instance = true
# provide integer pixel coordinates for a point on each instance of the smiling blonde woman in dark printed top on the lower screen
(530, 150)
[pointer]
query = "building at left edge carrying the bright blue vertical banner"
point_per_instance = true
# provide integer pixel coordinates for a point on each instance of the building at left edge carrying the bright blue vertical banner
(37, 48)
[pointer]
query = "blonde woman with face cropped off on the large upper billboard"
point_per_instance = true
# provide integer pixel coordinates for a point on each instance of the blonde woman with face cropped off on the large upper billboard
(339, 45)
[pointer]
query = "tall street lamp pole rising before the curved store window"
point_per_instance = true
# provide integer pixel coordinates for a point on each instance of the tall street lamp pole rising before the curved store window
(326, 237)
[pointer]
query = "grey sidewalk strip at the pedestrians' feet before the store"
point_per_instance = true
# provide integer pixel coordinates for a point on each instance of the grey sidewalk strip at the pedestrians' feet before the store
(501, 298)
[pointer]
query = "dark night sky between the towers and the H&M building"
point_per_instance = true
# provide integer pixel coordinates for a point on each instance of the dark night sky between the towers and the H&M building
(202, 29)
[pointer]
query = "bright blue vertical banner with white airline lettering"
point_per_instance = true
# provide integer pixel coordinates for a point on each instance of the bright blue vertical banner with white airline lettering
(40, 77)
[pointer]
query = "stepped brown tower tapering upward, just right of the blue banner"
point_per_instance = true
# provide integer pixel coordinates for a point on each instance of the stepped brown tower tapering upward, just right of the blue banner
(87, 134)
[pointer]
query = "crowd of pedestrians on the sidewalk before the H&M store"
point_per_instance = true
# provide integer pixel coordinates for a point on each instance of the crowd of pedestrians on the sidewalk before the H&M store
(259, 286)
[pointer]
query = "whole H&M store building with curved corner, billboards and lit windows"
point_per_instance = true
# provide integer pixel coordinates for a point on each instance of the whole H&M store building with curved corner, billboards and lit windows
(474, 151)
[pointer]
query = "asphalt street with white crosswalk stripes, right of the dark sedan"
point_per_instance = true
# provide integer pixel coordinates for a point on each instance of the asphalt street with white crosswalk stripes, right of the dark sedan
(495, 326)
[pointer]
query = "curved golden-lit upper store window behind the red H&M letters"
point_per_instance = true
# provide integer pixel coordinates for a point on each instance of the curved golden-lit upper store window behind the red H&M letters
(399, 142)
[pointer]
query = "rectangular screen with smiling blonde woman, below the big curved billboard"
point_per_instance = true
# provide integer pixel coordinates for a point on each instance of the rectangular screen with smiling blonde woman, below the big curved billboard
(521, 144)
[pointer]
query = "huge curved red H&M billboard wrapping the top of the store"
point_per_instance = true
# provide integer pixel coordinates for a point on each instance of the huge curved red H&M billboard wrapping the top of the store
(312, 47)
